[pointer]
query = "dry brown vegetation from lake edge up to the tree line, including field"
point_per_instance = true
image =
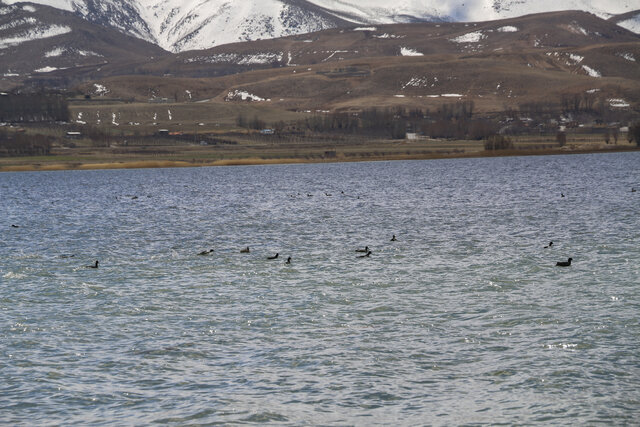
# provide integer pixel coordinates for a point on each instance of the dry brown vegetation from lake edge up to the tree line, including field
(255, 149)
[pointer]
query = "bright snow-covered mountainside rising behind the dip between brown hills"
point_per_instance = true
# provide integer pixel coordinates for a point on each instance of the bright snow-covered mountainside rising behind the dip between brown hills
(178, 25)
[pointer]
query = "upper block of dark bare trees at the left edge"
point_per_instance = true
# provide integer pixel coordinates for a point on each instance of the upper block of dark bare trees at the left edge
(33, 107)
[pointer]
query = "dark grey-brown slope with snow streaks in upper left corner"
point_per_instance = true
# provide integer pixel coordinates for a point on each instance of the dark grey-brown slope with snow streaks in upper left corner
(36, 41)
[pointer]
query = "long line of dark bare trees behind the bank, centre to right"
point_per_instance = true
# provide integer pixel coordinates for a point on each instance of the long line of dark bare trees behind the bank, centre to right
(459, 121)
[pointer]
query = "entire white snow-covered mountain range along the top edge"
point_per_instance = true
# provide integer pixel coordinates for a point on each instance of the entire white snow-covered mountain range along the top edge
(179, 25)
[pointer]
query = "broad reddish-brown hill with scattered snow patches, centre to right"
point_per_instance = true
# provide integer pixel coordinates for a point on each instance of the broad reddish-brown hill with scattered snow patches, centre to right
(535, 59)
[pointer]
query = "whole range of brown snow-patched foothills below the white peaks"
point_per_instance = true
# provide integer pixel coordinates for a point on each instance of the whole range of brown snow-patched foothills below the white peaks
(496, 64)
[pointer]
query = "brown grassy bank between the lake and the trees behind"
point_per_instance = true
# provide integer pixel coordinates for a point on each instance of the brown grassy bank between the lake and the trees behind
(261, 155)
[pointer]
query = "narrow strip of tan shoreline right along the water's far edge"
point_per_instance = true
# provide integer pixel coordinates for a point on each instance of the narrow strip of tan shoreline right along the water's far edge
(253, 161)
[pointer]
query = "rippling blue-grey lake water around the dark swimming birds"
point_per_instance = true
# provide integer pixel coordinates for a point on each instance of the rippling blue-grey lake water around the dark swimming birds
(464, 319)
